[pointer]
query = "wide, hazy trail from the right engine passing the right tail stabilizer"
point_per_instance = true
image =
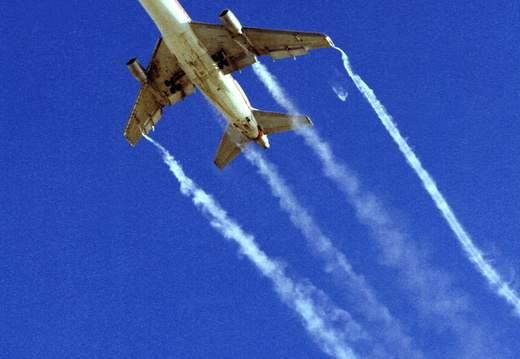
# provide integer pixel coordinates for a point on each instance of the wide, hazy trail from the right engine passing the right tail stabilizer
(434, 294)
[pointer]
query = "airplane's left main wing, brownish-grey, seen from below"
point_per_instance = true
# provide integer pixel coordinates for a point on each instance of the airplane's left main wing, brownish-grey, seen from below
(166, 83)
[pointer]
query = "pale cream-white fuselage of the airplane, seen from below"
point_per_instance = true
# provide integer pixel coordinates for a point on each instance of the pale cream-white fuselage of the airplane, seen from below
(222, 90)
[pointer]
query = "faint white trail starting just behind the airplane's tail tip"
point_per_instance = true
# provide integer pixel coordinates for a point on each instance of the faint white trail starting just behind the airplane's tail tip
(335, 261)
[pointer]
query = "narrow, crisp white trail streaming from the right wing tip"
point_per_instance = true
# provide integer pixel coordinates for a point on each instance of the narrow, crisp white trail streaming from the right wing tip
(473, 253)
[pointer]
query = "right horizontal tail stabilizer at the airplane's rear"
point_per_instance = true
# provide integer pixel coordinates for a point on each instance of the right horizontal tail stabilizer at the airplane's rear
(274, 122)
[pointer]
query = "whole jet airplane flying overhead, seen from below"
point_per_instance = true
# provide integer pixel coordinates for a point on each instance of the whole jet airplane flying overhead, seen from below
(194, 54)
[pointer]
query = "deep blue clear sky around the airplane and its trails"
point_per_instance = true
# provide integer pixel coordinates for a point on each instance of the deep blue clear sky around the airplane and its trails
(103, 257)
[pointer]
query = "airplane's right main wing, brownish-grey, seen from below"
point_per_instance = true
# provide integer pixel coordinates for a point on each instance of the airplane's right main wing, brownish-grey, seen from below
(276, 43)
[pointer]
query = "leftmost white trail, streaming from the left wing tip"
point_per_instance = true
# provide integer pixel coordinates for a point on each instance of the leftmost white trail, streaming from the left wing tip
(329, 326)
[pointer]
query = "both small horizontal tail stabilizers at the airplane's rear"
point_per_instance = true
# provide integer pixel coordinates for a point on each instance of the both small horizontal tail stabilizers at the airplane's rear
(233, 141)
